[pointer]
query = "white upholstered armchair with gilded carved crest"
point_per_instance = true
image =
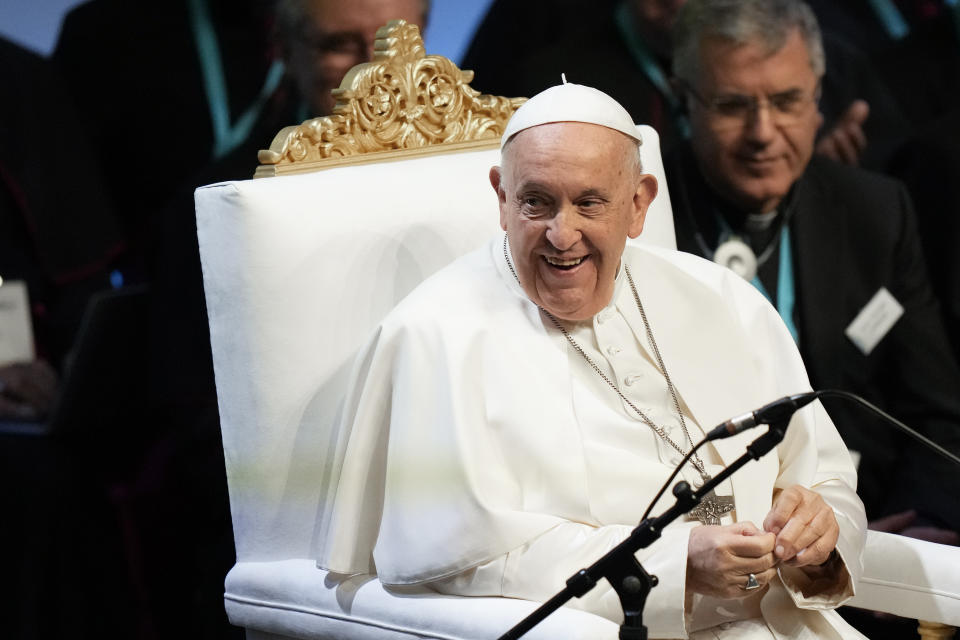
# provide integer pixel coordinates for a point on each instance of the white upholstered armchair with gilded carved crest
(299, 269)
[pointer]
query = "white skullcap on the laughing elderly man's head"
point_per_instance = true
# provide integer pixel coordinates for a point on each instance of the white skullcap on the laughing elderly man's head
(570, 102)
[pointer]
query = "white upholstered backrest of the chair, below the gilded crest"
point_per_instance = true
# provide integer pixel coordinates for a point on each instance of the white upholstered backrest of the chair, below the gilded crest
(298, 271)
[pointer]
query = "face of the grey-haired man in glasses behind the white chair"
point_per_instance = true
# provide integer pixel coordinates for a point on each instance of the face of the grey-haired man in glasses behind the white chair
(754, 162)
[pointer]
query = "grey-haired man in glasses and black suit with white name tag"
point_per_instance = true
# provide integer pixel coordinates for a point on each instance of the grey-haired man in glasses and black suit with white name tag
(834, 248)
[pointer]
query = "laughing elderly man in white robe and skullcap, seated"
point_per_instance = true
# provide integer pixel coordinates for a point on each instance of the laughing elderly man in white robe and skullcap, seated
(487, 452)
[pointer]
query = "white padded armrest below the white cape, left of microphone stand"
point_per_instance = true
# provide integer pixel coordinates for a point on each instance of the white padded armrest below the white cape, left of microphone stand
(294, 598)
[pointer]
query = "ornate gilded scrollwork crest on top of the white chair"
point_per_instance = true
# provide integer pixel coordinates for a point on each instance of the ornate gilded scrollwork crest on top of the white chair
(403, 99)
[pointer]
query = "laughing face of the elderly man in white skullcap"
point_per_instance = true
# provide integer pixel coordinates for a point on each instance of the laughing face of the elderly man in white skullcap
(570, 194)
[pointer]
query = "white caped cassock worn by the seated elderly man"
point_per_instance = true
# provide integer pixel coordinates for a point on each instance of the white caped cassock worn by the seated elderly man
(481, 454)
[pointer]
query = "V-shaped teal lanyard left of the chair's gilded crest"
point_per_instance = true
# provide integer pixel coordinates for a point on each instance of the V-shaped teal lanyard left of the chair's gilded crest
(226, 136)
